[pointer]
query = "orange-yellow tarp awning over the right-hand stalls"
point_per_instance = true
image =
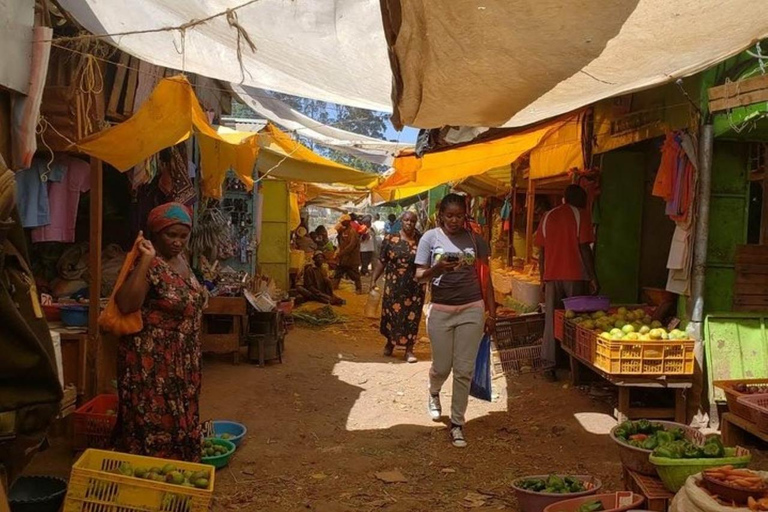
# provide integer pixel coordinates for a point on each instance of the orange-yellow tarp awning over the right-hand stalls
(555, 147)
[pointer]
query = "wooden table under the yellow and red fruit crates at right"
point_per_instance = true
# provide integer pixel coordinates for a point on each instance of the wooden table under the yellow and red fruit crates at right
(625, 384)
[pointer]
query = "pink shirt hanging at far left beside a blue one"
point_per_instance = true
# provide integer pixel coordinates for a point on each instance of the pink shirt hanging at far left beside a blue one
(64, 197)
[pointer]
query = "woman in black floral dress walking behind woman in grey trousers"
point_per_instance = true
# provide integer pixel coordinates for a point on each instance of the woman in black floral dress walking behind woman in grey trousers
(403, 295)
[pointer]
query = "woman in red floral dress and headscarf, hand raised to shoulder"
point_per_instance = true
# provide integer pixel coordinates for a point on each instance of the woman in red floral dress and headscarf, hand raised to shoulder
(159, 368)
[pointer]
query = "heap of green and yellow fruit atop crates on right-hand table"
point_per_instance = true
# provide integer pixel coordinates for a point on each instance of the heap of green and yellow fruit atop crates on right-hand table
(625, 325)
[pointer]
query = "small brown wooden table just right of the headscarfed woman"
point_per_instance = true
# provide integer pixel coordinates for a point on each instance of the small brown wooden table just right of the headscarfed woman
(227, 343)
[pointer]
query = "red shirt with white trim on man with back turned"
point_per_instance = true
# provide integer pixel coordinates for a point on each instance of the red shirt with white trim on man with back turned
(562, 258)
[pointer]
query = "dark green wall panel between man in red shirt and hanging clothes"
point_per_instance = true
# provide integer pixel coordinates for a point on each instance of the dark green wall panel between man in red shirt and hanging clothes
(617, 252)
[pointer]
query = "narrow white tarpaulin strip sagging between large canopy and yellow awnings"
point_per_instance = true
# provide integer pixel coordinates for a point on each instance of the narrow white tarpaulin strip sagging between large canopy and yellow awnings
(366, 148)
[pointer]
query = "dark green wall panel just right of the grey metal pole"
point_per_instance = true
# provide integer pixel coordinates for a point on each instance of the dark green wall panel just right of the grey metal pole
(727, 222)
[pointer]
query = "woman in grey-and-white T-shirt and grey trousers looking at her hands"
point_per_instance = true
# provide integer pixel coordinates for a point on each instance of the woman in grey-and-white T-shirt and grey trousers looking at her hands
(461, 306)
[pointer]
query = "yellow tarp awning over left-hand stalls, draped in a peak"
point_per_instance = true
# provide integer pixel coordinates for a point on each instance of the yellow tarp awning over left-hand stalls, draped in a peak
(172, 114)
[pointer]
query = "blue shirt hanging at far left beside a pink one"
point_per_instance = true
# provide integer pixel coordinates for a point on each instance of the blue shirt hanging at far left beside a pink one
(32, 192)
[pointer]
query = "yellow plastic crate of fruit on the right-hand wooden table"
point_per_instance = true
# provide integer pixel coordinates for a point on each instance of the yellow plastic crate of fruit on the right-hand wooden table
(645, 357)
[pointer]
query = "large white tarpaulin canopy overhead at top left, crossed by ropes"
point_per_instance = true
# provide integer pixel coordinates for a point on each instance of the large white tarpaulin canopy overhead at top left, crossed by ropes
(331, 50)
